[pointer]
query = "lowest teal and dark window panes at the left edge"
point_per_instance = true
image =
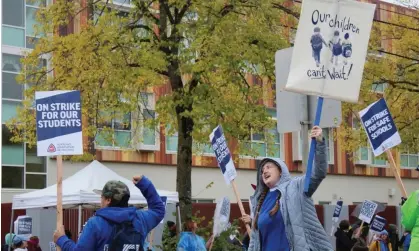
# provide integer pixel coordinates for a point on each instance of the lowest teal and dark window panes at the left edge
(21, 167)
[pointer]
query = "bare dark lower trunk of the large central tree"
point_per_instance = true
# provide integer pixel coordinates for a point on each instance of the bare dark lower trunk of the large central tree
(184, 163)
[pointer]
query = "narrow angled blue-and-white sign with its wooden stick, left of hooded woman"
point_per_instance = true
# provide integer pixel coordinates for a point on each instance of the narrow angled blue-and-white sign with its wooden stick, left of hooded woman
(225, 162)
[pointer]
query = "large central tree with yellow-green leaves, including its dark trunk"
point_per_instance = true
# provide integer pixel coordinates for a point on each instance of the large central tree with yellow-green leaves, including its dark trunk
(203, 49)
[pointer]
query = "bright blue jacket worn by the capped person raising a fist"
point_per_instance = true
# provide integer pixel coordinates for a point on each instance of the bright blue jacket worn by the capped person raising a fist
(98, 231)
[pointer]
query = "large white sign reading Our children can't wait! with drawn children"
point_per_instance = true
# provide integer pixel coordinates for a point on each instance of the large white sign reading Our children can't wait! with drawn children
(330, 48)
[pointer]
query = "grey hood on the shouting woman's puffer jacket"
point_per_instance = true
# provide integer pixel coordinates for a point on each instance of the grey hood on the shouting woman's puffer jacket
(285, 175)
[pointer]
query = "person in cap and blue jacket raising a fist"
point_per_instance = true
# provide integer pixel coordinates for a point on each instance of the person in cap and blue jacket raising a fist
(99, 231)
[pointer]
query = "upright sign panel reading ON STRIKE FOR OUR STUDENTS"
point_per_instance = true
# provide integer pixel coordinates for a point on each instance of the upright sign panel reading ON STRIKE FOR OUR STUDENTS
(58, 123)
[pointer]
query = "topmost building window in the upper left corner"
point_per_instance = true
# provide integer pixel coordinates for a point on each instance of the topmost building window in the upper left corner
(19, 19)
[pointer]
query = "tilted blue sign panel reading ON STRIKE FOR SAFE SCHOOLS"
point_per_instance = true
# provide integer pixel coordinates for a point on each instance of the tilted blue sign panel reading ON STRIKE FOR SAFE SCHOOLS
(379, 126)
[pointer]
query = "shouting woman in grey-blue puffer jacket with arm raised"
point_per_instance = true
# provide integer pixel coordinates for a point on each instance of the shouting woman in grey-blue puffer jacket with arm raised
(285, 218)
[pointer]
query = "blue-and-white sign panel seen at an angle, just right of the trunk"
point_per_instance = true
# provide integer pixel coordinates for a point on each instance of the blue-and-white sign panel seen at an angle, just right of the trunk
(222, 153)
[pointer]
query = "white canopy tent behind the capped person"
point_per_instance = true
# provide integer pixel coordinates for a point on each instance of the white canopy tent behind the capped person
(78, 191)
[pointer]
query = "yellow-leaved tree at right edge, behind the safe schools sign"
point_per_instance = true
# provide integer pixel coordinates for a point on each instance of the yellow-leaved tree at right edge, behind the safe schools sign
(392, 72)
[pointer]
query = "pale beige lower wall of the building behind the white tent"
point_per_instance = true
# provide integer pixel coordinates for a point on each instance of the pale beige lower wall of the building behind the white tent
(350, 188)
